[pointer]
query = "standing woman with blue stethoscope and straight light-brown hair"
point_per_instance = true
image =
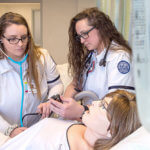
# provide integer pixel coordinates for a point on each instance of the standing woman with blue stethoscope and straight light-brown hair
(28, 75)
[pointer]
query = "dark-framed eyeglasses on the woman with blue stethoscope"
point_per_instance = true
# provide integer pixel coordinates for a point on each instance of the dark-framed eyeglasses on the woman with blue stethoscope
(23, 39)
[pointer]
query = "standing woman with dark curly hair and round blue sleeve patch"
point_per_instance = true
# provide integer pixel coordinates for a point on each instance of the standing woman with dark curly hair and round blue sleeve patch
(99, 59)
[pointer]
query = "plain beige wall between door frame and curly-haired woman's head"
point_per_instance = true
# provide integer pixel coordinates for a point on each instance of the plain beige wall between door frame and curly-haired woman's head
(56, 15)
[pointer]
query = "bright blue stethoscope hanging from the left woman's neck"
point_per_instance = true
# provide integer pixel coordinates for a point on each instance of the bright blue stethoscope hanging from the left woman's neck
(21, 79)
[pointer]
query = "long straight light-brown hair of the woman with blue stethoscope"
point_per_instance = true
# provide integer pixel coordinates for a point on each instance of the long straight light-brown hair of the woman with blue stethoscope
(33, 51)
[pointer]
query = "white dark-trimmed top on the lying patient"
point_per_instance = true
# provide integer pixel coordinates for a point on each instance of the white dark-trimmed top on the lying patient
(48, 134)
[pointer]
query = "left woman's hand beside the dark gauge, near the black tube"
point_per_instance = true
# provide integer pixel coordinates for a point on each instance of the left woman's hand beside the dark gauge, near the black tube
(44, 109)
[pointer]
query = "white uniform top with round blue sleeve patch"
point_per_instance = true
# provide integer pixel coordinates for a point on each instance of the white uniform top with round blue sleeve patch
(117, 74)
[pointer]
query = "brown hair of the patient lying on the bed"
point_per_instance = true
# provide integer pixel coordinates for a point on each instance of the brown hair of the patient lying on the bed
(123, 117)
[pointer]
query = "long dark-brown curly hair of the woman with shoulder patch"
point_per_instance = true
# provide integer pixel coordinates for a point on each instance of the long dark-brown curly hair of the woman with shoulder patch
(107, 30)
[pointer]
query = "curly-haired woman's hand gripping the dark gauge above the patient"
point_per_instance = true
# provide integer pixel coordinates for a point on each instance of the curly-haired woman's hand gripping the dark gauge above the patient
(69, 109)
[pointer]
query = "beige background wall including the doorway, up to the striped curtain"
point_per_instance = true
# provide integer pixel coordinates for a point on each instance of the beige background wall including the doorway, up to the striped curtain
(55, 17)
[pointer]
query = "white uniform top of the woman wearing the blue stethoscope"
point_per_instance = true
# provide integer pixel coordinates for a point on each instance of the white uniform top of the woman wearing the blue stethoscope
(11, 91)
